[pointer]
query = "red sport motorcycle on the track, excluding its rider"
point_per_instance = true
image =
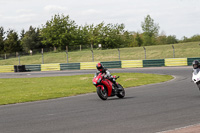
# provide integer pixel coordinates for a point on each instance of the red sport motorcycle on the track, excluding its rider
(105, 88)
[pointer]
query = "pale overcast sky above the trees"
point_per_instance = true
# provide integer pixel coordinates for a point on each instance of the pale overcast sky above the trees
(175, 17)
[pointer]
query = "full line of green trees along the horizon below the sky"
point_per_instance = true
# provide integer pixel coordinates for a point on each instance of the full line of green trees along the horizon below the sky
(61, 31)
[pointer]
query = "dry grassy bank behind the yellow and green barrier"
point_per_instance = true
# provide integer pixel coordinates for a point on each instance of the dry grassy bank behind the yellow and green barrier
(182, 50)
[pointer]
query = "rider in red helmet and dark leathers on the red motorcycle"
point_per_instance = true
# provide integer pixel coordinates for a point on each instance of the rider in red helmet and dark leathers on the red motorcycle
(103, 70)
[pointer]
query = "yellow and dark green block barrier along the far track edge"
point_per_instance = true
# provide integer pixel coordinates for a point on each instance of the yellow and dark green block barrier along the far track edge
(92, 65)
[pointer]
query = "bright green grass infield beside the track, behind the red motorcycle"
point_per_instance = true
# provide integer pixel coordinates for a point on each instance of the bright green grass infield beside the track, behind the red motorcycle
(33, 89)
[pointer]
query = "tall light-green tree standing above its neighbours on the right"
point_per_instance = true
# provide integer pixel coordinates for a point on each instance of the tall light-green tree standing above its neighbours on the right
(150, 30)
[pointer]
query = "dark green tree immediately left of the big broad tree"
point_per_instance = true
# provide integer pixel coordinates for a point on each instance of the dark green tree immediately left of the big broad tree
(31, 39)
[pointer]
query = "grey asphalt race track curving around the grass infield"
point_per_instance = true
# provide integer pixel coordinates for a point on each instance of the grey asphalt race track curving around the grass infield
(145, 109)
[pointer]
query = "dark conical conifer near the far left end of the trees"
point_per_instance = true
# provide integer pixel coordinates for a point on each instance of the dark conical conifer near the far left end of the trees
(12, 43)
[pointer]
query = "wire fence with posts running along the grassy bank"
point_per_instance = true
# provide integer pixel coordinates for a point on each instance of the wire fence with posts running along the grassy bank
(73, 54)
